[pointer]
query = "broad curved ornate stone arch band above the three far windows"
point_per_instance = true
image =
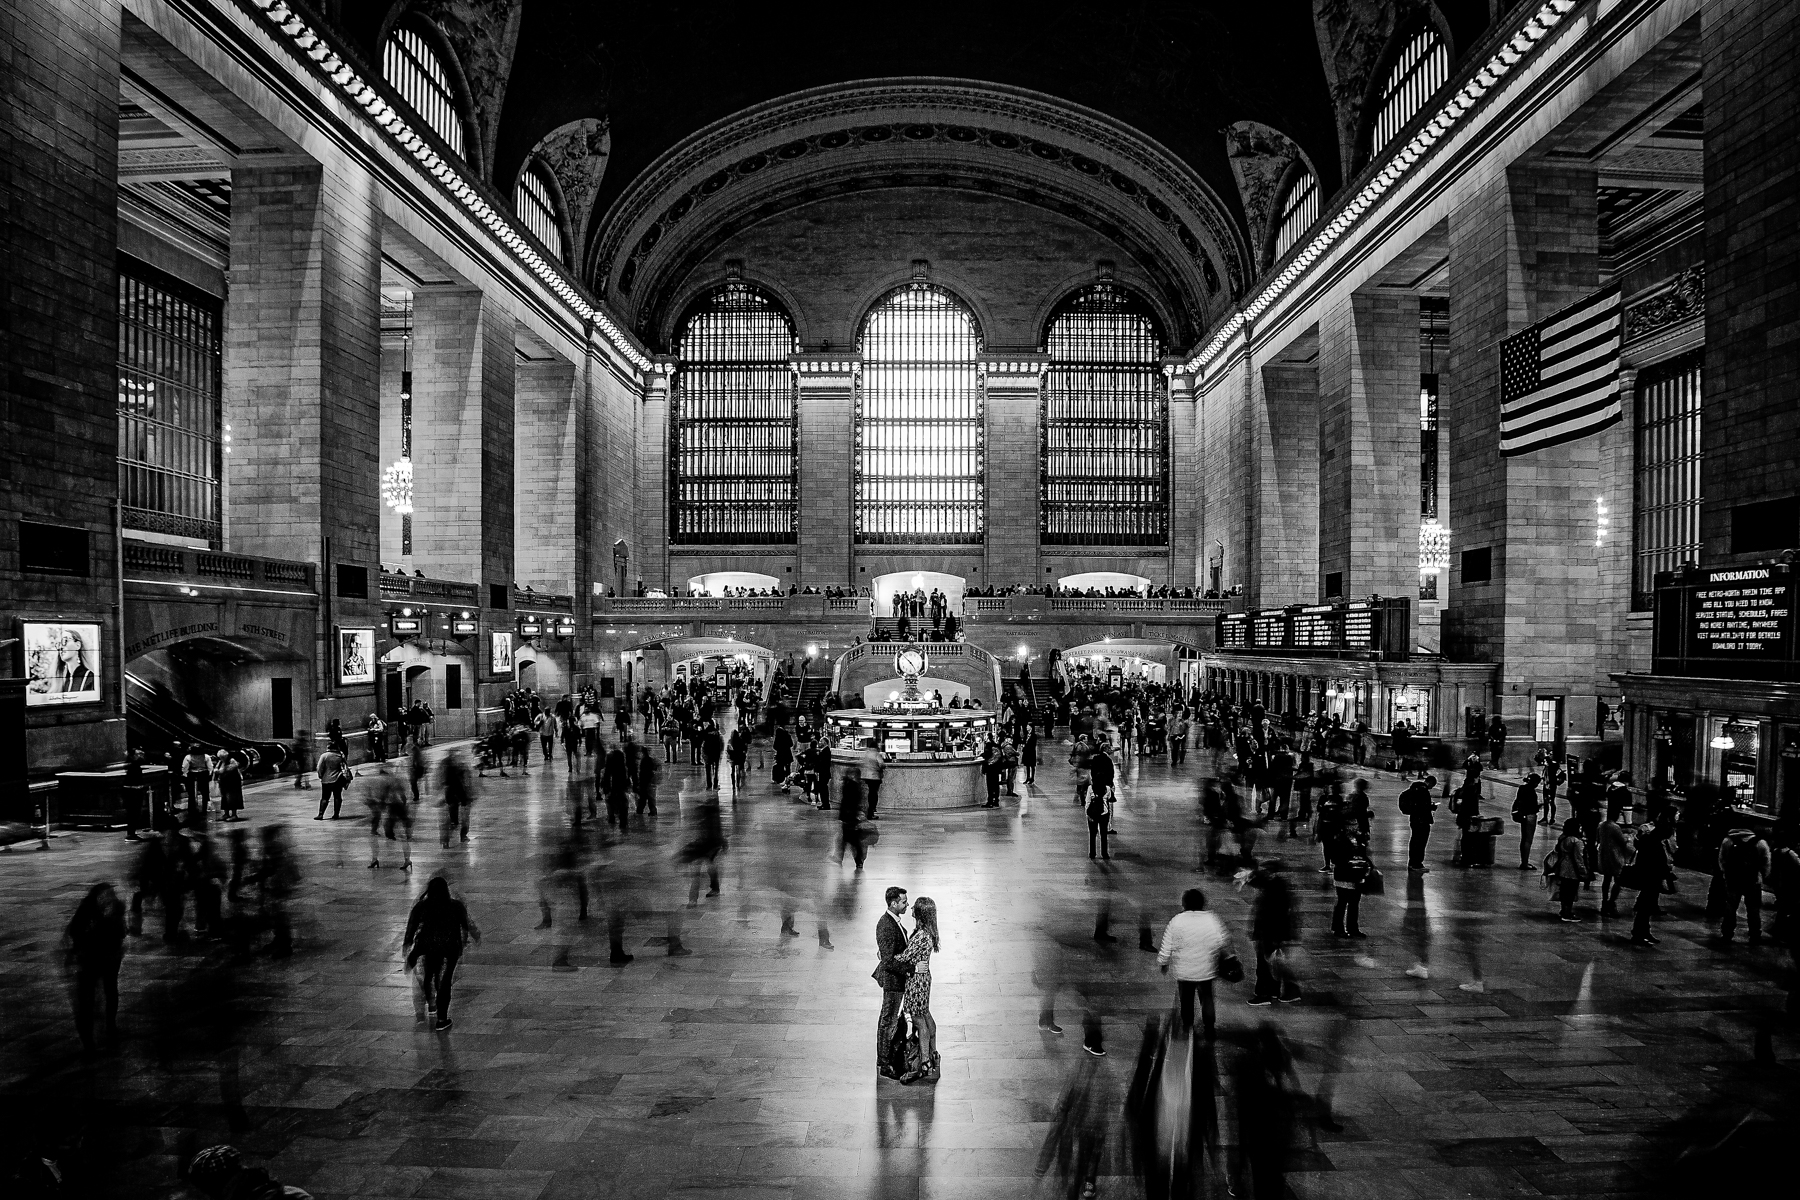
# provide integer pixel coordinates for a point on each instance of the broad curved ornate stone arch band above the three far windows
(966, 130)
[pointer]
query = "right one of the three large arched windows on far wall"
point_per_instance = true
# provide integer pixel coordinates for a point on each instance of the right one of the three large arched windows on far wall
(1106, 424)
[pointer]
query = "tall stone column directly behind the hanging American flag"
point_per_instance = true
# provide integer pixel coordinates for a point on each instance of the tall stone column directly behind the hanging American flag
(1524, 247)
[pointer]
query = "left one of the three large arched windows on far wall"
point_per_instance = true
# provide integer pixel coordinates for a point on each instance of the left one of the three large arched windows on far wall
(732, 424)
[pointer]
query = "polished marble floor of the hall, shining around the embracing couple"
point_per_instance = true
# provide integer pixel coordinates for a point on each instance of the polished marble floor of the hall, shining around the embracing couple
(744, 1070)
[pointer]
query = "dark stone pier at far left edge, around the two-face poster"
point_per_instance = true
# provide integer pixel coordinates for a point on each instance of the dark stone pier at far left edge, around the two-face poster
(60, 388)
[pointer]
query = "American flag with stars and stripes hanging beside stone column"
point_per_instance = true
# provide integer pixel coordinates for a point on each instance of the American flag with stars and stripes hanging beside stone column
(1560, 379)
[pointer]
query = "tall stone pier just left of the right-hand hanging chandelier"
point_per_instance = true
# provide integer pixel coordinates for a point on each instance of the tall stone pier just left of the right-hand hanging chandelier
(1369, 445)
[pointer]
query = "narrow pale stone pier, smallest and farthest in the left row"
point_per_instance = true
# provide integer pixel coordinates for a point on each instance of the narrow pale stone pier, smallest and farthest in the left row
(546, 465)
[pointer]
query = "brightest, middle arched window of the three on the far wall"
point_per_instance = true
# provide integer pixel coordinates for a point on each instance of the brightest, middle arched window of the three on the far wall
(919, 431)
